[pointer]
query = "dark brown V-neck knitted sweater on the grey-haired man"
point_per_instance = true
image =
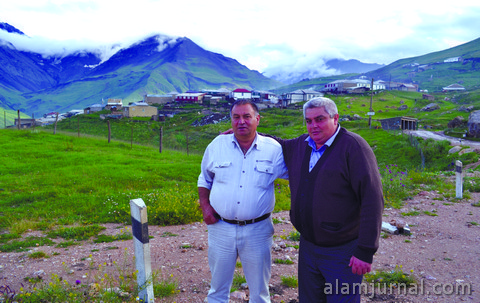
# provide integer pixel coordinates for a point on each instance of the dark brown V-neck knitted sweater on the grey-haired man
(341, 199)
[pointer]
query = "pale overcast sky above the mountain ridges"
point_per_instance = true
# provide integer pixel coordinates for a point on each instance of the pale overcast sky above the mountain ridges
(261, 34)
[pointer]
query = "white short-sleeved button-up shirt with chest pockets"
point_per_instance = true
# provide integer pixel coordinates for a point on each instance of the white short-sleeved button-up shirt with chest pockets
(242, 186)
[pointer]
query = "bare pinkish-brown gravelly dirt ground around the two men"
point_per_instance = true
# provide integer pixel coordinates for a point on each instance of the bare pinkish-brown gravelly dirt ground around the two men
(442, 252)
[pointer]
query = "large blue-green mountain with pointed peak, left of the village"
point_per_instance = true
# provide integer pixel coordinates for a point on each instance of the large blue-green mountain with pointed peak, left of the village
(35, 84)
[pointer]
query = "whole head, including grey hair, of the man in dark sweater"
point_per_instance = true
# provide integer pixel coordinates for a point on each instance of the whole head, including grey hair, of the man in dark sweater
(321, 116)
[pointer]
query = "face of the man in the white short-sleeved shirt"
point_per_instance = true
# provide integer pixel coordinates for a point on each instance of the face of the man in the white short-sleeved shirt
(244, 121)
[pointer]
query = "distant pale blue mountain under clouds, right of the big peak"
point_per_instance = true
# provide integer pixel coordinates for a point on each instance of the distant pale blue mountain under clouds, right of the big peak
(329, 68)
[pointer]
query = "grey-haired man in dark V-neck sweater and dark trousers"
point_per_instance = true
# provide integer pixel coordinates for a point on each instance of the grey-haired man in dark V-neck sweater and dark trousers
(337, 205)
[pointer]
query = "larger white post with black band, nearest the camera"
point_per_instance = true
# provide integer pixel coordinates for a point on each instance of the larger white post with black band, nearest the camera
(143, 264)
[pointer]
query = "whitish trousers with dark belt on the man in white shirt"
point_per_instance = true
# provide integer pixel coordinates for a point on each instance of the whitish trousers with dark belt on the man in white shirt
(252, 243)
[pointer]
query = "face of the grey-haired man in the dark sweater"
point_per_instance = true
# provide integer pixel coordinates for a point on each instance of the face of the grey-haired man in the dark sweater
(320, 126)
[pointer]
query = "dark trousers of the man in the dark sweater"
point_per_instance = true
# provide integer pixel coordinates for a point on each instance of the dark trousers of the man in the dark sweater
(324, 274)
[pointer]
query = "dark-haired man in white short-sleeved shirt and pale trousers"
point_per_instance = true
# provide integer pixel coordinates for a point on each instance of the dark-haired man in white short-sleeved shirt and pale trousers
(236, 191)
